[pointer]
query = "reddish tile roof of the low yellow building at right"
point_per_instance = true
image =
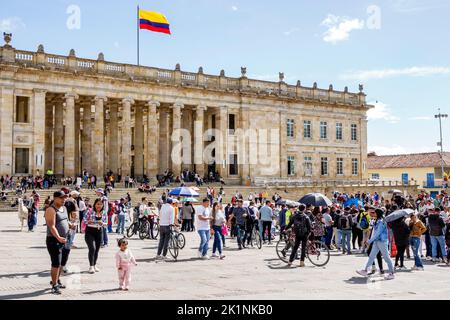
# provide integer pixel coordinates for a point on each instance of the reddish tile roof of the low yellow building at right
(416, 160)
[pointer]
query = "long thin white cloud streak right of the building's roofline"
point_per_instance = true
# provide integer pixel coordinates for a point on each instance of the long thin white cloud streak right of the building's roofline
(388, 73)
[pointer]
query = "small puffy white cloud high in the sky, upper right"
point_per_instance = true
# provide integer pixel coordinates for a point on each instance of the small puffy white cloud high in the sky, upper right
(339, 28)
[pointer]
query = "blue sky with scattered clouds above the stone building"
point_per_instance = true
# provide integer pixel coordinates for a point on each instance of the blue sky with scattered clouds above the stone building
(398, 49)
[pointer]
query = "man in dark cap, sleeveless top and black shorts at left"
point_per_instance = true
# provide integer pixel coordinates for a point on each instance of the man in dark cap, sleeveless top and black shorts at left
(58, 225)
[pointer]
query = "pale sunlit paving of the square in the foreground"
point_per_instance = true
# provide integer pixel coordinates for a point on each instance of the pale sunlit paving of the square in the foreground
(246, 274)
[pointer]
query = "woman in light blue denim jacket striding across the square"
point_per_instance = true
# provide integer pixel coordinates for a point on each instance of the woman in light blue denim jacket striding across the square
(379, 239)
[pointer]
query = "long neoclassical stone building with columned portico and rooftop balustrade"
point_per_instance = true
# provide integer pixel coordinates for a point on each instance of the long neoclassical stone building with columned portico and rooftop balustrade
(68, 114)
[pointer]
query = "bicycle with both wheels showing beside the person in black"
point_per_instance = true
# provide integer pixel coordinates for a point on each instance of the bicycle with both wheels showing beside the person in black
(316, 251)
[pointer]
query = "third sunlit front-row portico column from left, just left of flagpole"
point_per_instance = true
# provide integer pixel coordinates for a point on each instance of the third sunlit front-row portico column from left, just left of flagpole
(126, 137)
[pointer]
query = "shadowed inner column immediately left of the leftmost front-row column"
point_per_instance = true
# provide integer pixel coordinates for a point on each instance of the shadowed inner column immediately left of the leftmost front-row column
(58, 139)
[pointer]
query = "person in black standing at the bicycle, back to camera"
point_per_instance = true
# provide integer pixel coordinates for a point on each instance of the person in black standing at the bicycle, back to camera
(302, 228)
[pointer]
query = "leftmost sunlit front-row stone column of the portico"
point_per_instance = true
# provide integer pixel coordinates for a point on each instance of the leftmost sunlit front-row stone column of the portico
(69, 136)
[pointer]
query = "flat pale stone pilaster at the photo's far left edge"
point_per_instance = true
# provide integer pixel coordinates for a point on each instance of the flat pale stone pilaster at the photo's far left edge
(6, 130)
